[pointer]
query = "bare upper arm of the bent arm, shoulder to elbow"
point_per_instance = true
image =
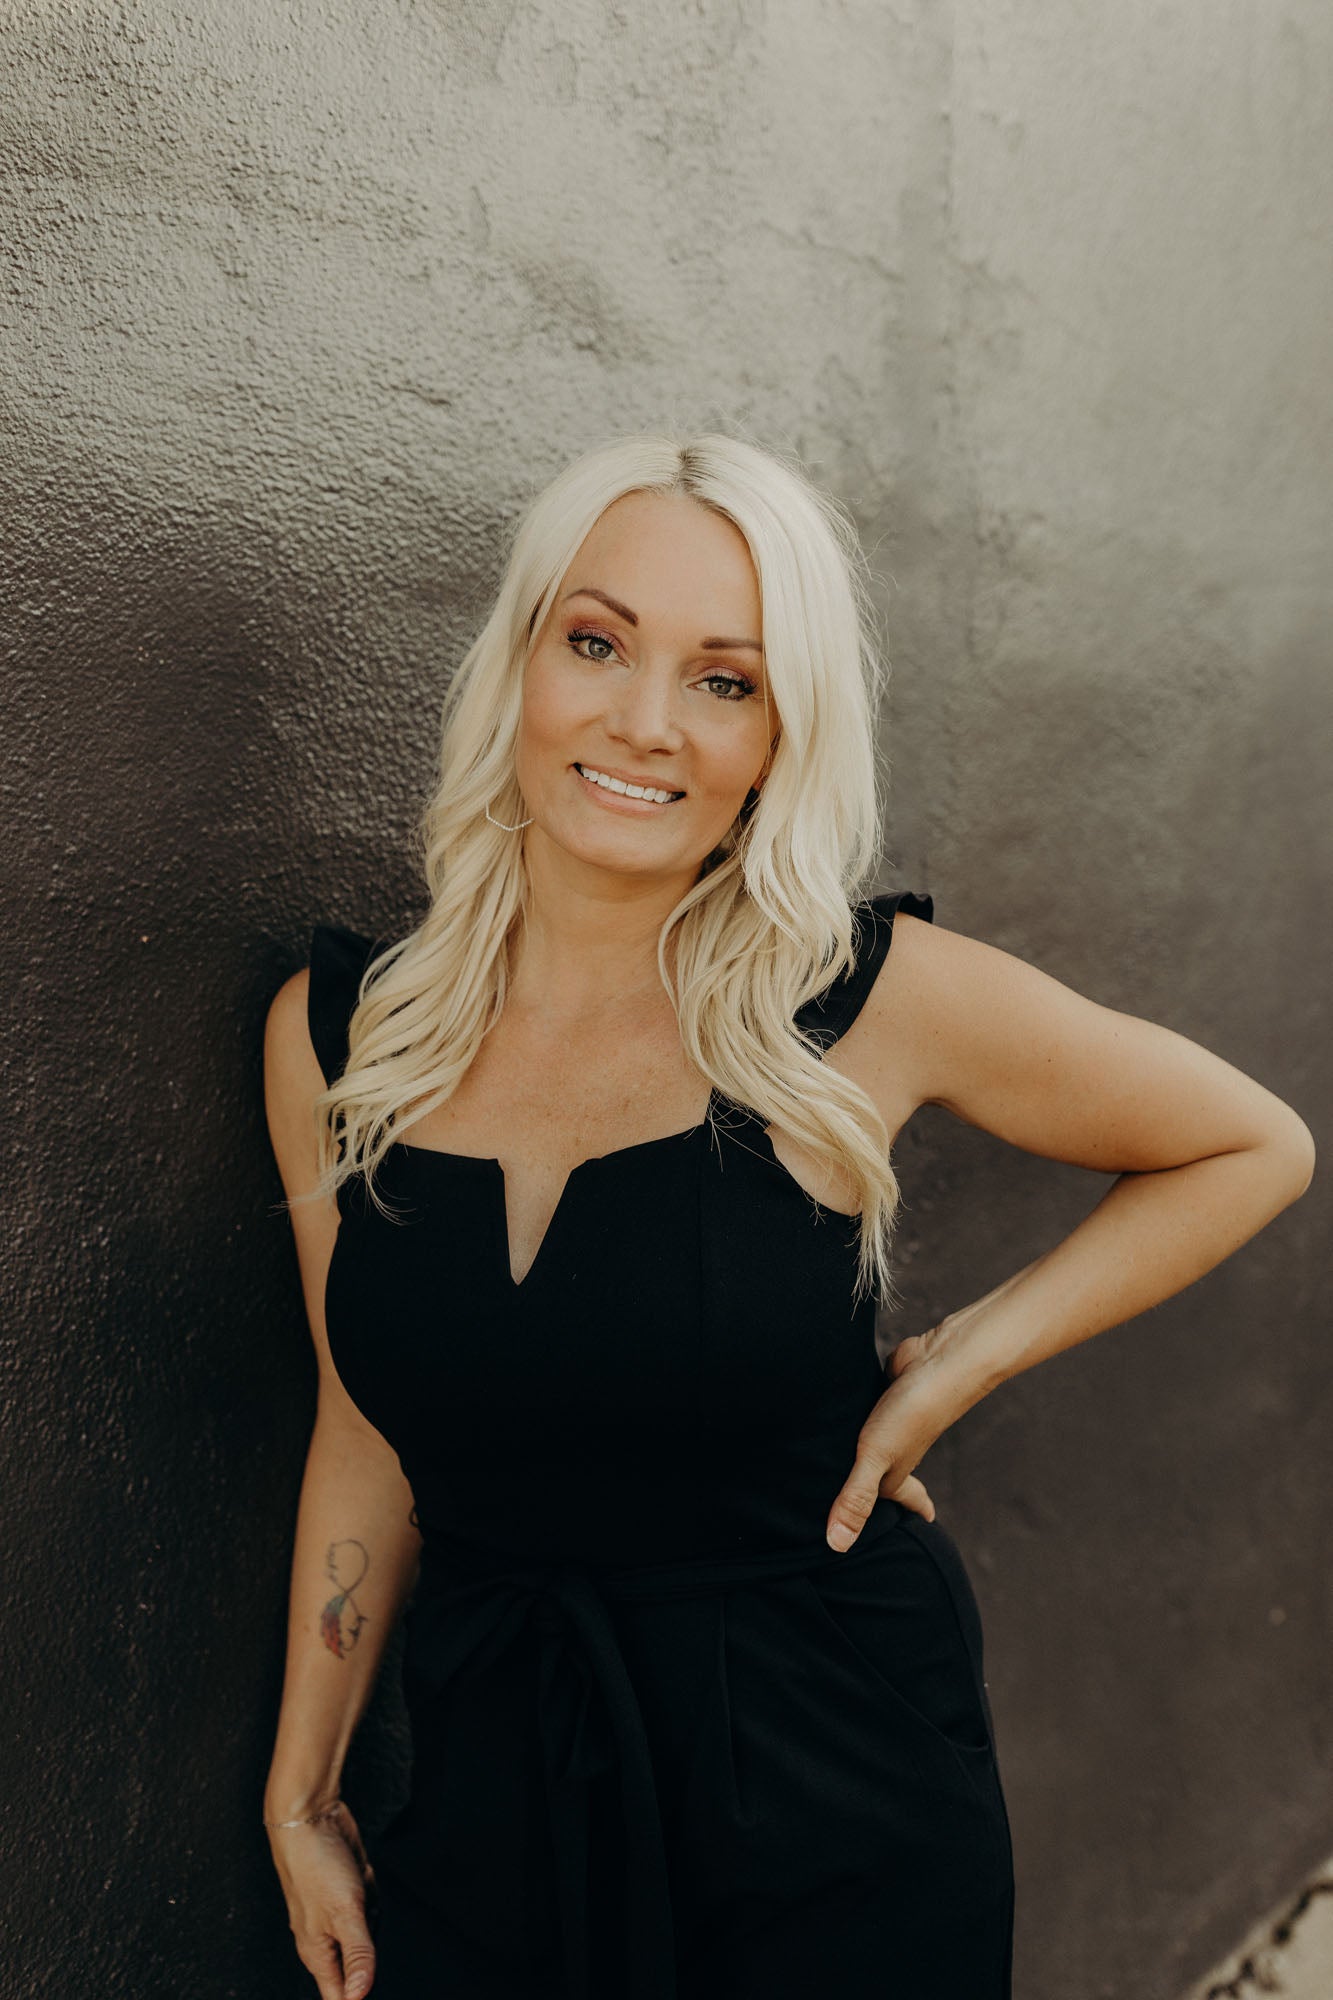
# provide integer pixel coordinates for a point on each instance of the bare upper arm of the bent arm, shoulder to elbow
(1014, 1051)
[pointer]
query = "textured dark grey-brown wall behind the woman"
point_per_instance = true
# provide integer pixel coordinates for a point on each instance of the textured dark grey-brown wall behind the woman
(301, 301)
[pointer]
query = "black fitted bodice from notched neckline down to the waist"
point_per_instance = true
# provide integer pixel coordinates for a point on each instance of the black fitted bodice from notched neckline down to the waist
(686, 1343)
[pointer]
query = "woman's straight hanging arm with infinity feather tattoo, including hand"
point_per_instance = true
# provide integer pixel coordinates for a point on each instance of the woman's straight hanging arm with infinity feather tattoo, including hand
(353, 1567)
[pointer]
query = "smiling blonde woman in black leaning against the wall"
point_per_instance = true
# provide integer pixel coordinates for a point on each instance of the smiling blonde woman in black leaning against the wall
(591, 1189)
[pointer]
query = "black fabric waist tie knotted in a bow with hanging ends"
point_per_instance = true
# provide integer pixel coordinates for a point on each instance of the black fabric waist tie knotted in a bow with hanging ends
(469, 1607)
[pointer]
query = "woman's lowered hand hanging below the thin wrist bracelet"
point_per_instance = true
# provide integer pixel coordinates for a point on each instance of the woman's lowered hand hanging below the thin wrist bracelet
(327, 1879)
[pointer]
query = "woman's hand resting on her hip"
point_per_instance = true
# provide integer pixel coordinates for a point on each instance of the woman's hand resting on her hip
(910, 1417)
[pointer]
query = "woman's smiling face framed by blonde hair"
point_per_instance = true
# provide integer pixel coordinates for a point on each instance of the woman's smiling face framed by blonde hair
(661, 689)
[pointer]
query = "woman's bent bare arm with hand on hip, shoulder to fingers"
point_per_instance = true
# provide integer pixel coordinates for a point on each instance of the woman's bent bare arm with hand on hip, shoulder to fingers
(1206, 1159)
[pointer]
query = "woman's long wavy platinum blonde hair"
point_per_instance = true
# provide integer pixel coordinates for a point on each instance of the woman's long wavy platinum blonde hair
(770, 921)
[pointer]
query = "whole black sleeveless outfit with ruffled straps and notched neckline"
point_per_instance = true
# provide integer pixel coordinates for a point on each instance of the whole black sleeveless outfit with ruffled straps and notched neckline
(668, 1743)
